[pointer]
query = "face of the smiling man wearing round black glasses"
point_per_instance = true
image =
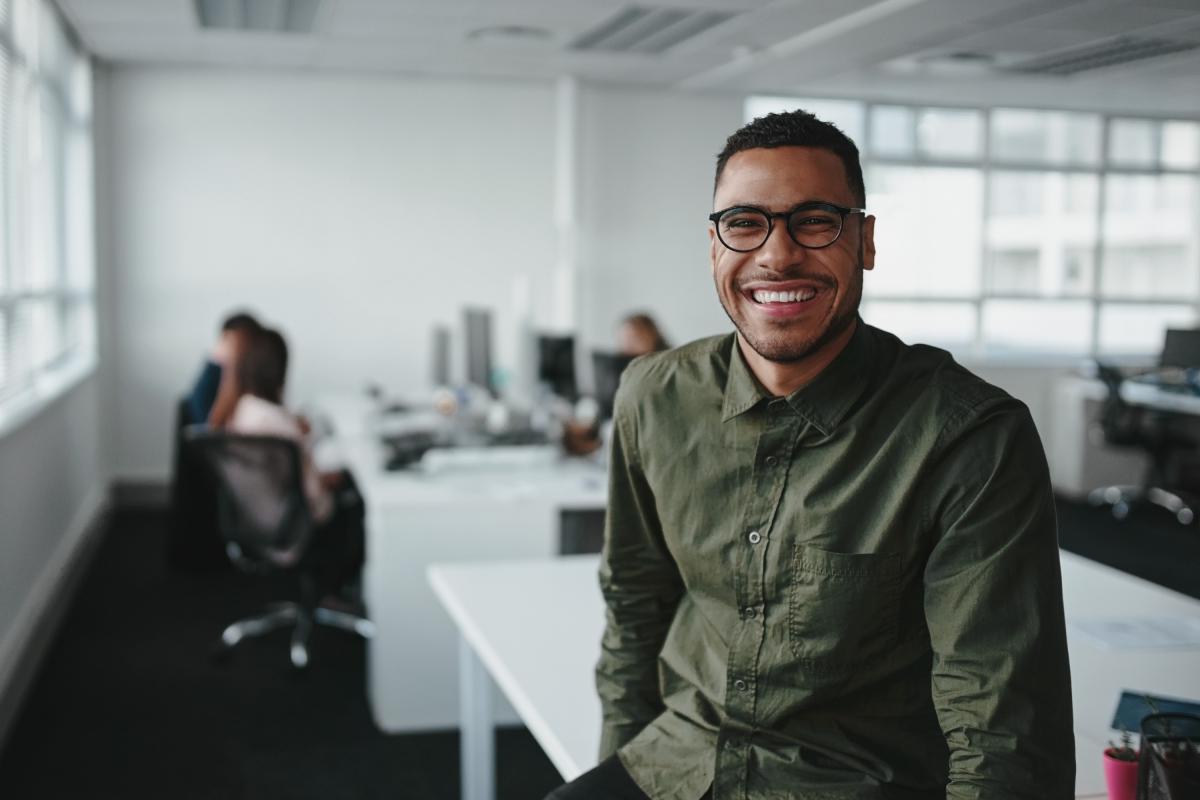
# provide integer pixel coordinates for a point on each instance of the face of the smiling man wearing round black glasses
(821, 288)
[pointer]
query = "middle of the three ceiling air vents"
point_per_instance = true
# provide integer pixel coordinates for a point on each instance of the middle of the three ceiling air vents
(641, 29)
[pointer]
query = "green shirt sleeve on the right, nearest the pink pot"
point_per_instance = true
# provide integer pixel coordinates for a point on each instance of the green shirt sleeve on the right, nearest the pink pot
(1001, 682)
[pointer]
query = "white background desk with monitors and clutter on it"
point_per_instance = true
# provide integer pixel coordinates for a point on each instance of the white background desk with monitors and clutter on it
(415, 520)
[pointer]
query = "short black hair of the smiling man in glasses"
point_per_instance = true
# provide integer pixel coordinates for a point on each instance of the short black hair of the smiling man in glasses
(796, 129)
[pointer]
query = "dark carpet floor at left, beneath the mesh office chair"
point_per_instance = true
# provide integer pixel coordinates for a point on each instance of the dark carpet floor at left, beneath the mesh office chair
(129, 703)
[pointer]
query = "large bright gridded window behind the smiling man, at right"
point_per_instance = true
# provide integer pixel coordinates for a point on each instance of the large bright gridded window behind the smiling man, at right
(1058, 233)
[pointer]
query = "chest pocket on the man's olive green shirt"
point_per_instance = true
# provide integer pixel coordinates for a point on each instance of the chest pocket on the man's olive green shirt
(843, 607)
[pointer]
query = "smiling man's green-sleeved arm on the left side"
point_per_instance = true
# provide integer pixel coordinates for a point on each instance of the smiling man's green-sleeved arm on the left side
(641, 588)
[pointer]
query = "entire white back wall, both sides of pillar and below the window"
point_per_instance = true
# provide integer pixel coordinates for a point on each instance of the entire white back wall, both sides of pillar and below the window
(356, 212)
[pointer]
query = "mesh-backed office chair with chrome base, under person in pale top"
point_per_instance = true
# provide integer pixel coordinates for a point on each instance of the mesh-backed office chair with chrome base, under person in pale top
(267, 526)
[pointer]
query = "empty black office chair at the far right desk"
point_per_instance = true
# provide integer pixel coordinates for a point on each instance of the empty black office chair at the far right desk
(1131, 426)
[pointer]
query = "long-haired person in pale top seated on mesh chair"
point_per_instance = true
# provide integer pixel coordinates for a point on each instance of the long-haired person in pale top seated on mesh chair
(334, 500)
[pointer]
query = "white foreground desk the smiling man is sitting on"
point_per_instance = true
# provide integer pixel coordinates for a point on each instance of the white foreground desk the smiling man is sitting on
(547, 669)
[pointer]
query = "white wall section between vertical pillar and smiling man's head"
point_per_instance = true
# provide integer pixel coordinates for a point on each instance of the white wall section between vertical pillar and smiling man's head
(646, 183)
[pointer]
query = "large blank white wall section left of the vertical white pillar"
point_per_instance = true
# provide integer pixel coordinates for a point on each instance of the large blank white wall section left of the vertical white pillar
(352, 212)
